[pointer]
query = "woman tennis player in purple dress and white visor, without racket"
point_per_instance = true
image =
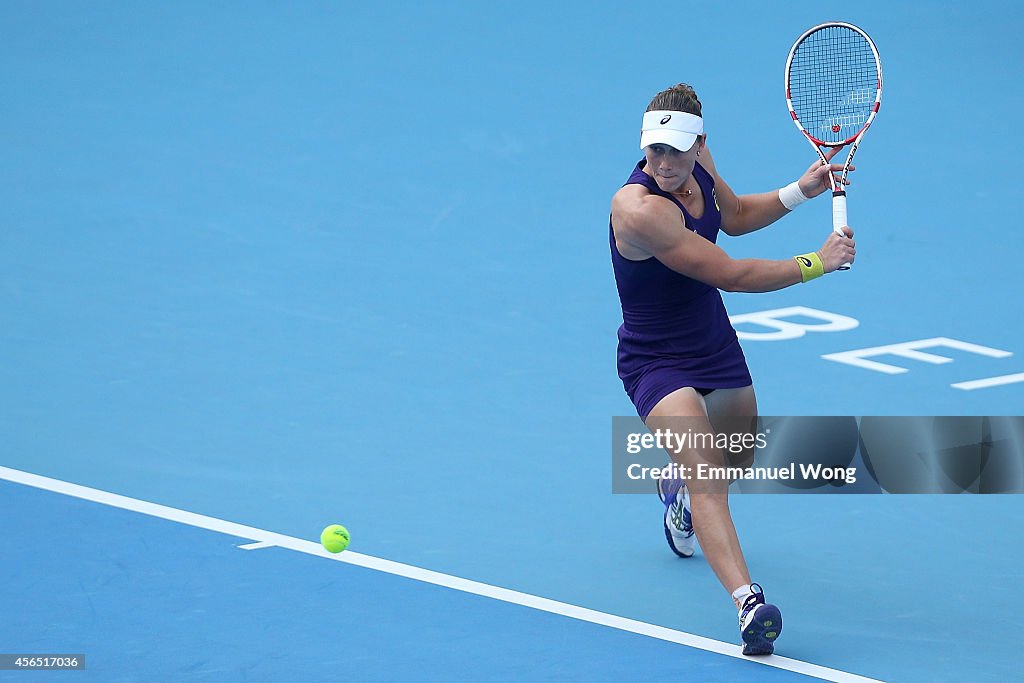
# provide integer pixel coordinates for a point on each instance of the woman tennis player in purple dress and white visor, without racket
(679, 358)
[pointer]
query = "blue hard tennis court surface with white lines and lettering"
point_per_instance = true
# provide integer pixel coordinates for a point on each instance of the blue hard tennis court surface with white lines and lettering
(266, 269)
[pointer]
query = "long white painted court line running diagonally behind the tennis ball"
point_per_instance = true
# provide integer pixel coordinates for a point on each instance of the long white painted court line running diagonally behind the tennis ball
(426, 576)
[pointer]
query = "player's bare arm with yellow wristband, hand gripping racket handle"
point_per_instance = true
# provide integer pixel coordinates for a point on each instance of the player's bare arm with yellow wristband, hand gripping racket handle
(650, 226)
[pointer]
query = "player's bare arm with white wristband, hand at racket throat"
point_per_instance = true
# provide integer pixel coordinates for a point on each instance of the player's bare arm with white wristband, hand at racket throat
(747, 214)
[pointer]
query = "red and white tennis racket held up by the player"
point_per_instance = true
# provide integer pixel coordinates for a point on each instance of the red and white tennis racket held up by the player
(834, 91)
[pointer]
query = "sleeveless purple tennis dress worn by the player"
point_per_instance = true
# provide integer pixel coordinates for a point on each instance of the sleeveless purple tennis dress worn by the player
(676, 332)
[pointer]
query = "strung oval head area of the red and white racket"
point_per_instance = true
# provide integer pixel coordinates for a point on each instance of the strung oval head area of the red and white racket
(834, 80)
